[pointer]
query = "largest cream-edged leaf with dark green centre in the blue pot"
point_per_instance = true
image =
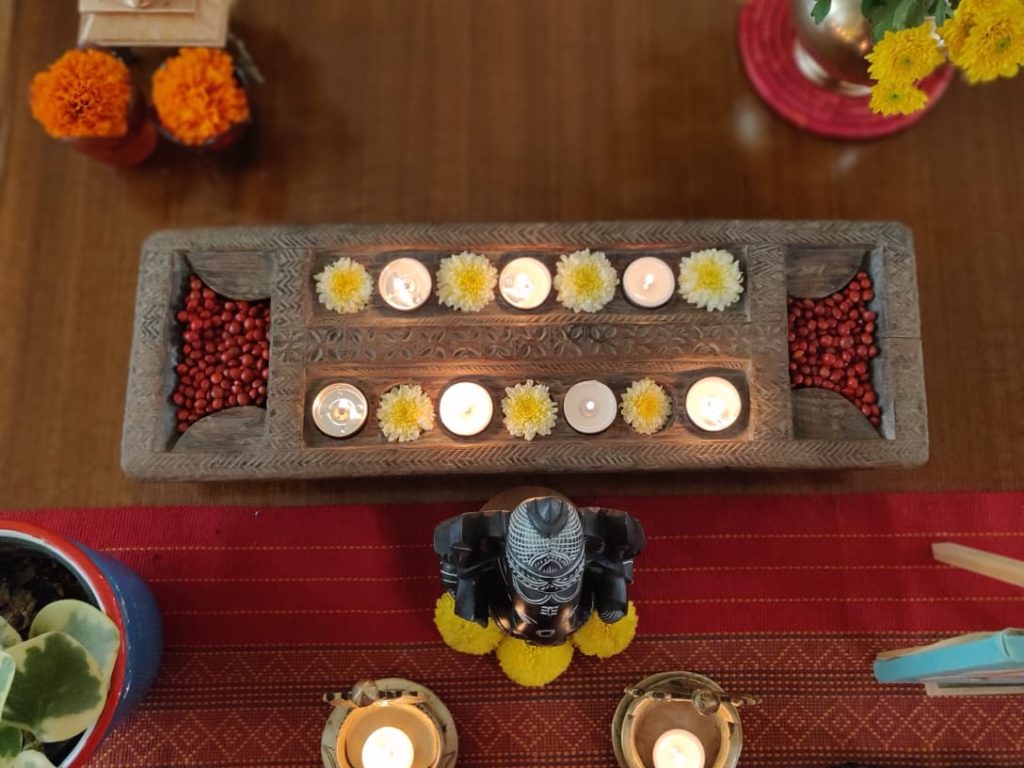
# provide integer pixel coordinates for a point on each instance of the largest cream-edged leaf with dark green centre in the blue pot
(59, 690)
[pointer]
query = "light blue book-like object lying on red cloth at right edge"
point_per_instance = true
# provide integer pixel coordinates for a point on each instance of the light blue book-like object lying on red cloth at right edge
(978, 661)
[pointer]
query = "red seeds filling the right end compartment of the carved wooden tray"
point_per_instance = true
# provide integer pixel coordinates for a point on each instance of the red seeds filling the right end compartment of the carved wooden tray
(832, 344)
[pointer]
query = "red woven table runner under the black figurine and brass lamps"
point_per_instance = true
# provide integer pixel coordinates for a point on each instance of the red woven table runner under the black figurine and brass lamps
(789, 599)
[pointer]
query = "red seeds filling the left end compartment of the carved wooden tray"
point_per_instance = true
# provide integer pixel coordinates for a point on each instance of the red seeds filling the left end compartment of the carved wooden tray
(225, 355)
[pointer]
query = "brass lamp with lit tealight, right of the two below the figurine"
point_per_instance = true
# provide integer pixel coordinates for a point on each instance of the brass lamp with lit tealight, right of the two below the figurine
(678, 720)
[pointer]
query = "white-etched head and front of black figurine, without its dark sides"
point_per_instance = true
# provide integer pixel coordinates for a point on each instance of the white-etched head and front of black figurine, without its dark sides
(544, 566)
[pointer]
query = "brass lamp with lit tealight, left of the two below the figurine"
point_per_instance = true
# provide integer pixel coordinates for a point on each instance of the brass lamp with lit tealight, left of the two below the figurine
(389, 723)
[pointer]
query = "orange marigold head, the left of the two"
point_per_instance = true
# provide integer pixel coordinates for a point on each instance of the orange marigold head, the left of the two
(83, 95)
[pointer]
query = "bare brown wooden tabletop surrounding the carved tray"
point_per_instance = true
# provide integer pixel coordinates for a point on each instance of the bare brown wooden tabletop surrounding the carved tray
(490, 110)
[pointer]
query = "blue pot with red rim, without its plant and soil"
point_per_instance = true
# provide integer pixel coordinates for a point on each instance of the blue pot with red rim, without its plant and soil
(122, 595)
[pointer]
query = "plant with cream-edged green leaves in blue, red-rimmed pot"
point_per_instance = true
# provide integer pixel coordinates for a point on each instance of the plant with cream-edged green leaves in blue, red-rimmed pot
(81, 641)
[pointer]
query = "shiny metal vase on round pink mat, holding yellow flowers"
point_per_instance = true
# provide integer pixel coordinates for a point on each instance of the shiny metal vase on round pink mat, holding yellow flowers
(832, 54)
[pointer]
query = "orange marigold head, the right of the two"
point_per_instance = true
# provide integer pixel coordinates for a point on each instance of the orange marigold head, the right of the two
(197, 97)
